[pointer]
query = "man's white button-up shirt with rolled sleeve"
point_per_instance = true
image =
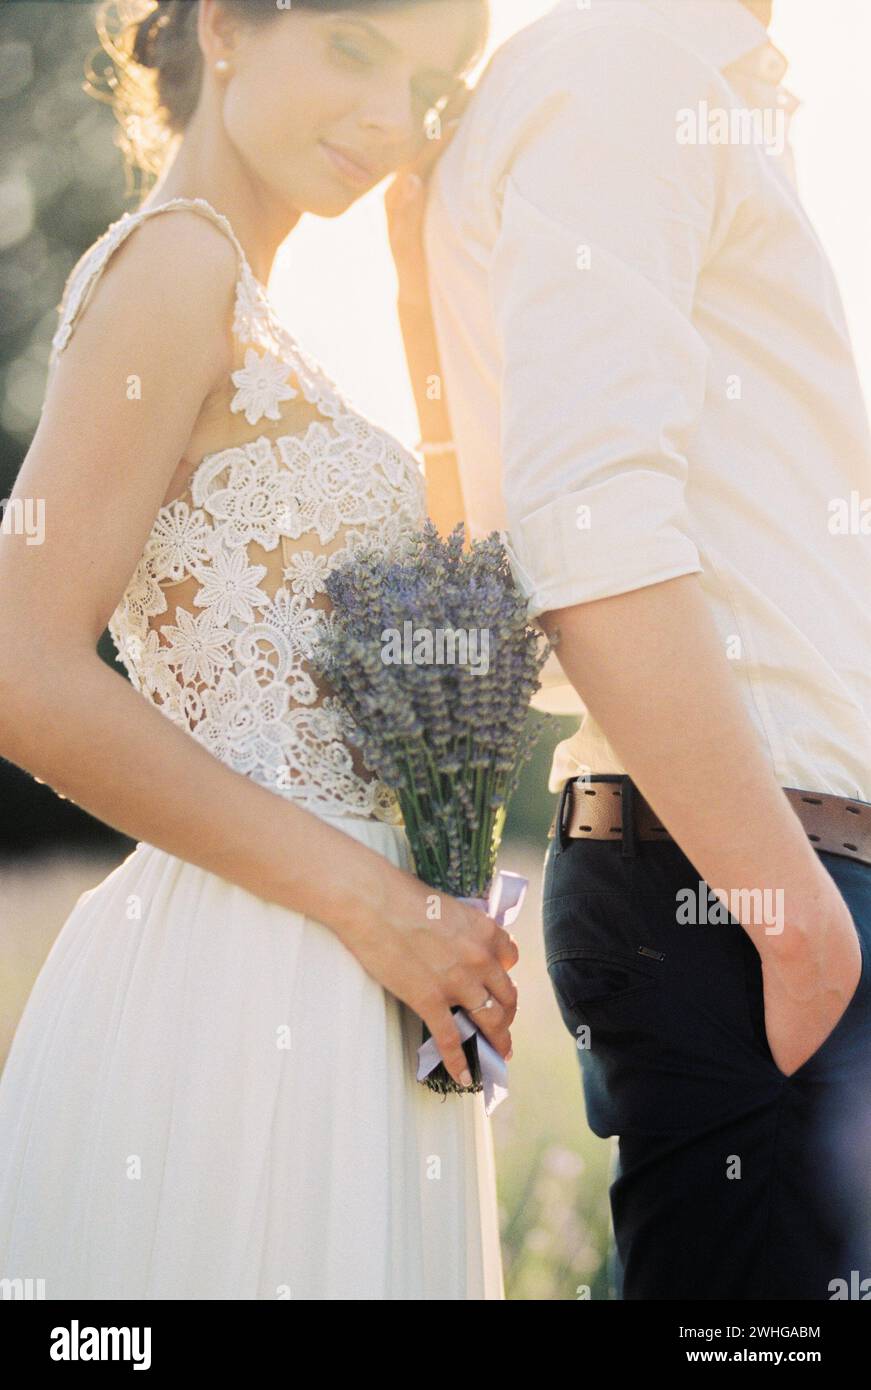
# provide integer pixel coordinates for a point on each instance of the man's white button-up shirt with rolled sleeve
(648, 365)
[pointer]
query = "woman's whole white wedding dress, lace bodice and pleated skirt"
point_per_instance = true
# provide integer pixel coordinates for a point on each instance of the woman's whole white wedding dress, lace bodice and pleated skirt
(208, 1097)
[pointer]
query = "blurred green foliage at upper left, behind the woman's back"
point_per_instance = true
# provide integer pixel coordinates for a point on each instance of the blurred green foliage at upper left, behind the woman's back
(62, 183)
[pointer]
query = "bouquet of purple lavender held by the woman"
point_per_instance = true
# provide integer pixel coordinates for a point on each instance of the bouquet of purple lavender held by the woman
(435, 662)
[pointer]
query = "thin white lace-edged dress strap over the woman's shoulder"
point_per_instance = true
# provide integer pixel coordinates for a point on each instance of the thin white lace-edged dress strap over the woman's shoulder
(83, 280)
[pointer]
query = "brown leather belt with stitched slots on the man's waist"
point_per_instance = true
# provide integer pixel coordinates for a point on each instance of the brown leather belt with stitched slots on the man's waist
(611, 807)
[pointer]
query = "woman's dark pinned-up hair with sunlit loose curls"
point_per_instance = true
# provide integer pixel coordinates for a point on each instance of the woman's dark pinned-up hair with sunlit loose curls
(158, 67)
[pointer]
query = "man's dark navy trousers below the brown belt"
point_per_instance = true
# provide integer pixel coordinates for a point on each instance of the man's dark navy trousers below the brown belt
(734, 1181)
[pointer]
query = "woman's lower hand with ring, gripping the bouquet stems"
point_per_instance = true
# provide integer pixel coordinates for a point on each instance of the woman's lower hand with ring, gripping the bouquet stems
(431, 965)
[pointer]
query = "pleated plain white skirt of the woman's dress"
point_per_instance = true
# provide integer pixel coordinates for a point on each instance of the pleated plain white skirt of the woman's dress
(208, 1097)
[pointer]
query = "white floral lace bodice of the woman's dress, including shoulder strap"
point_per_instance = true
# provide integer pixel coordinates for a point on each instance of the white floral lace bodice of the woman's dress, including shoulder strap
(216, 623)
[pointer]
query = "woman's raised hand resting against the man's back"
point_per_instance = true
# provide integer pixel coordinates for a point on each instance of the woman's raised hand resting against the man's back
(406, 204)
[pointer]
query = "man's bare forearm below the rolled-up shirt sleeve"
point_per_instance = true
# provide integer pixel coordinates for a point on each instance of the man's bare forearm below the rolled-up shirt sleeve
(652, 672)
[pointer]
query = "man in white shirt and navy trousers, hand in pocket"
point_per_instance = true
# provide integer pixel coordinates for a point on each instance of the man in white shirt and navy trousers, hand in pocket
(652, 389)
